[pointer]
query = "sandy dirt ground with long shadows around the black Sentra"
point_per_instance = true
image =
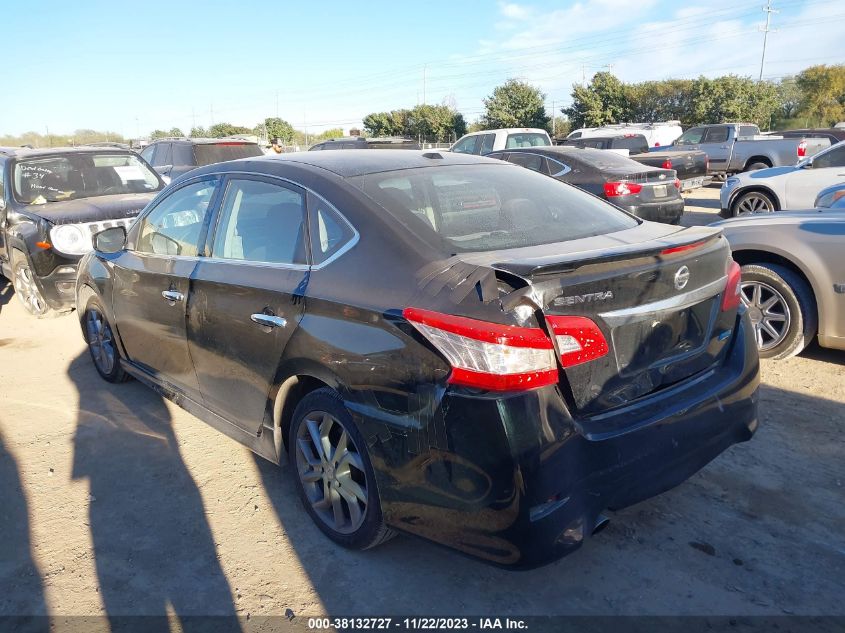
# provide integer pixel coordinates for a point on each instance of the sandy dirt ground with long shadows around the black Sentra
(117, 502)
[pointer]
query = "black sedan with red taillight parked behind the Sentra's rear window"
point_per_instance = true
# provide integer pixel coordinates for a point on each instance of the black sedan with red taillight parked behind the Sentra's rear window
(647, 192)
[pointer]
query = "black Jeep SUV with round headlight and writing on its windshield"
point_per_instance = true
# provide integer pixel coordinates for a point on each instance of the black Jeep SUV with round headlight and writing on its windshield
(52, 201)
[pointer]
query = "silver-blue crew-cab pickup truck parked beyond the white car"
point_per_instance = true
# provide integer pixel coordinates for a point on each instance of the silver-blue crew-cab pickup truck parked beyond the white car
(738, 147)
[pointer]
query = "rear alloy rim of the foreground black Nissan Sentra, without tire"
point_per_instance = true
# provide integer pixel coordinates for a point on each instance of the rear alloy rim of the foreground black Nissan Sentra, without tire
(332, 472)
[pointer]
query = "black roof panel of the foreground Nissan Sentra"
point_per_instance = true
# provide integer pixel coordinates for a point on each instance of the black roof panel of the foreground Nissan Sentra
(354, 162)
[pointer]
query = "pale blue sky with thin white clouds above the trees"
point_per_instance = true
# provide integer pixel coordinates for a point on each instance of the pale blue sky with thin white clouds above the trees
(134, 67)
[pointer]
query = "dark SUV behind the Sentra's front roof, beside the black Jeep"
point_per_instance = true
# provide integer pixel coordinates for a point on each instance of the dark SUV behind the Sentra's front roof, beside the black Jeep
(172, 157)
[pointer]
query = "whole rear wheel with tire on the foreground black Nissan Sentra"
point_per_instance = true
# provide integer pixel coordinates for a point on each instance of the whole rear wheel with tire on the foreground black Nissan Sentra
(334, 476)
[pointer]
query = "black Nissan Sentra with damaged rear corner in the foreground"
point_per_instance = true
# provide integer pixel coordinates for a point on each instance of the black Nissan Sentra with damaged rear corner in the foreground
(440, 344)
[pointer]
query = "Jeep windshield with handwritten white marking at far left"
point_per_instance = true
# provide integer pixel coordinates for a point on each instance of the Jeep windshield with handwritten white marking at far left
(82, 175)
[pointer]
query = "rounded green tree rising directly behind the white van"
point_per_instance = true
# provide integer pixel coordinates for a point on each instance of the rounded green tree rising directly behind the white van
(604, 101)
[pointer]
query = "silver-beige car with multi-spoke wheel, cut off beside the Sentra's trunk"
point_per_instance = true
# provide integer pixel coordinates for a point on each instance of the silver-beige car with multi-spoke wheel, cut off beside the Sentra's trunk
(793, 278)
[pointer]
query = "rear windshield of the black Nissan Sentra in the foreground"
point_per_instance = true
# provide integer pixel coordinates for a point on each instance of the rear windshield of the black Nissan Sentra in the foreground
(468, 208)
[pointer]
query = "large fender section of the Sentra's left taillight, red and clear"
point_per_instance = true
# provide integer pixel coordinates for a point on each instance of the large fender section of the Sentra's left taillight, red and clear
(488, 355)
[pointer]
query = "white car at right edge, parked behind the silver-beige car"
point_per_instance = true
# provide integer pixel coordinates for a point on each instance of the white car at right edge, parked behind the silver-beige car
(793, 187)
